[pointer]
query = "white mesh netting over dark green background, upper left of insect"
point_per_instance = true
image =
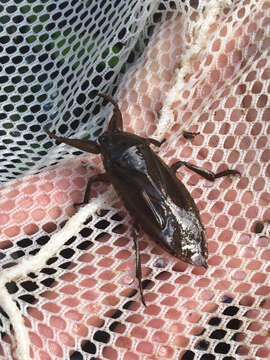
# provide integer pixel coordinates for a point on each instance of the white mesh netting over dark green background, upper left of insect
(53, 56)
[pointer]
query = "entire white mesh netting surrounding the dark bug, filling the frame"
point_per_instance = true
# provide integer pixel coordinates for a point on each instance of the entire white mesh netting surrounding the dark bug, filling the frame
(67, 283)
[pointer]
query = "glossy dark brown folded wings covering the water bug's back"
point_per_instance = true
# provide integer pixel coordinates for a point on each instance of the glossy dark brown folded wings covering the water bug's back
(160, 203)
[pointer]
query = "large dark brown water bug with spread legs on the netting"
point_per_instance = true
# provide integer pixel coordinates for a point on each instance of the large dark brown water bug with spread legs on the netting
(157, 200)
